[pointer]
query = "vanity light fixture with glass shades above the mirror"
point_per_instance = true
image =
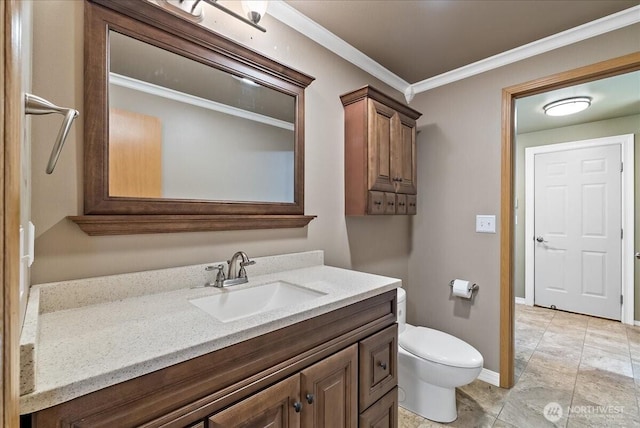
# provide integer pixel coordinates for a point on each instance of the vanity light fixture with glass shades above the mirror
(192, 9)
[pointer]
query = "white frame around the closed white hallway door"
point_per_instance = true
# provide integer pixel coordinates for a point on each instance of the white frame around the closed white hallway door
(626, 209)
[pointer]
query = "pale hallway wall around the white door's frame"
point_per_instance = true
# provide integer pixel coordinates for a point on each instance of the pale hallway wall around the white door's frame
(599, 129)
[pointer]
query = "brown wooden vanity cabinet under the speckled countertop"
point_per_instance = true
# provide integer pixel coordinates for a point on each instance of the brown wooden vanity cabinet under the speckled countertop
(309, 374)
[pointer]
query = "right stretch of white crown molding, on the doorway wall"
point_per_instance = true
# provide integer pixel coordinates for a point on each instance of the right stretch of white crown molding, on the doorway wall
(591, 29)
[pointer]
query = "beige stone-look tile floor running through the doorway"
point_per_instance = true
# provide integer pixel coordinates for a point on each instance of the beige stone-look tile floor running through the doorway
(589, 366)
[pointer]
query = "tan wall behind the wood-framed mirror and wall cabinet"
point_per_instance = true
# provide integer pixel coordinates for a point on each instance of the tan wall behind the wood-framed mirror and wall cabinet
(379, 245)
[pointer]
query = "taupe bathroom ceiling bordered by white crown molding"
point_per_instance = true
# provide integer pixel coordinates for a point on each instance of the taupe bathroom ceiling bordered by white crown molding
(420, 39)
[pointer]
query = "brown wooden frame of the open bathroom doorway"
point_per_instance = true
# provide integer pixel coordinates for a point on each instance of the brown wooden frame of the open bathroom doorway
(588, 73)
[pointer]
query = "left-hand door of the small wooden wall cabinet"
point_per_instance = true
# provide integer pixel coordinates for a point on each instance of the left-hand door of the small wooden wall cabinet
(382, 128)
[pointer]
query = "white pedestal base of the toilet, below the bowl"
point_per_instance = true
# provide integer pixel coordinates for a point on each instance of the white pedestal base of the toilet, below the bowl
(429, 401)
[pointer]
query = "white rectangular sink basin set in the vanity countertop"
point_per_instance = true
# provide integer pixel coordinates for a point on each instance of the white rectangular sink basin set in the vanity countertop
(231, 305)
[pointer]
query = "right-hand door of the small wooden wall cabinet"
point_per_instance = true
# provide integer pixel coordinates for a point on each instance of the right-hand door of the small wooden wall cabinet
(404, 156)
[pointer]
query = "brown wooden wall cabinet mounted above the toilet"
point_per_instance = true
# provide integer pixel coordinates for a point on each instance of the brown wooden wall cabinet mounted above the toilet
(380, 154)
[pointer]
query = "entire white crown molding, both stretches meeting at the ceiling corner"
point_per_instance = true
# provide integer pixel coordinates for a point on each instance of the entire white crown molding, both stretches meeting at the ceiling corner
(309, 28)
